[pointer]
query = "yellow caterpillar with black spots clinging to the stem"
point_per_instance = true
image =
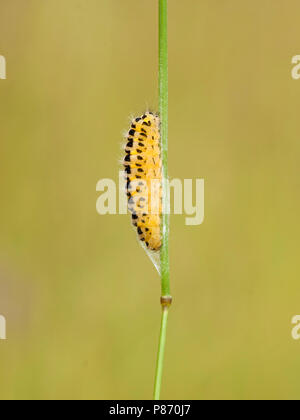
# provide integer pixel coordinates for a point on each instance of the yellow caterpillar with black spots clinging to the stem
(143, 171)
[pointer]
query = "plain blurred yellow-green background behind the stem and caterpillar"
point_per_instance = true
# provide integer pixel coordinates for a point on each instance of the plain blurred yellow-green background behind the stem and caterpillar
(80, 296)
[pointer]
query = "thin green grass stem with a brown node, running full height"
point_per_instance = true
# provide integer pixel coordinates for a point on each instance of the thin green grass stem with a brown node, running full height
(164, 258)
